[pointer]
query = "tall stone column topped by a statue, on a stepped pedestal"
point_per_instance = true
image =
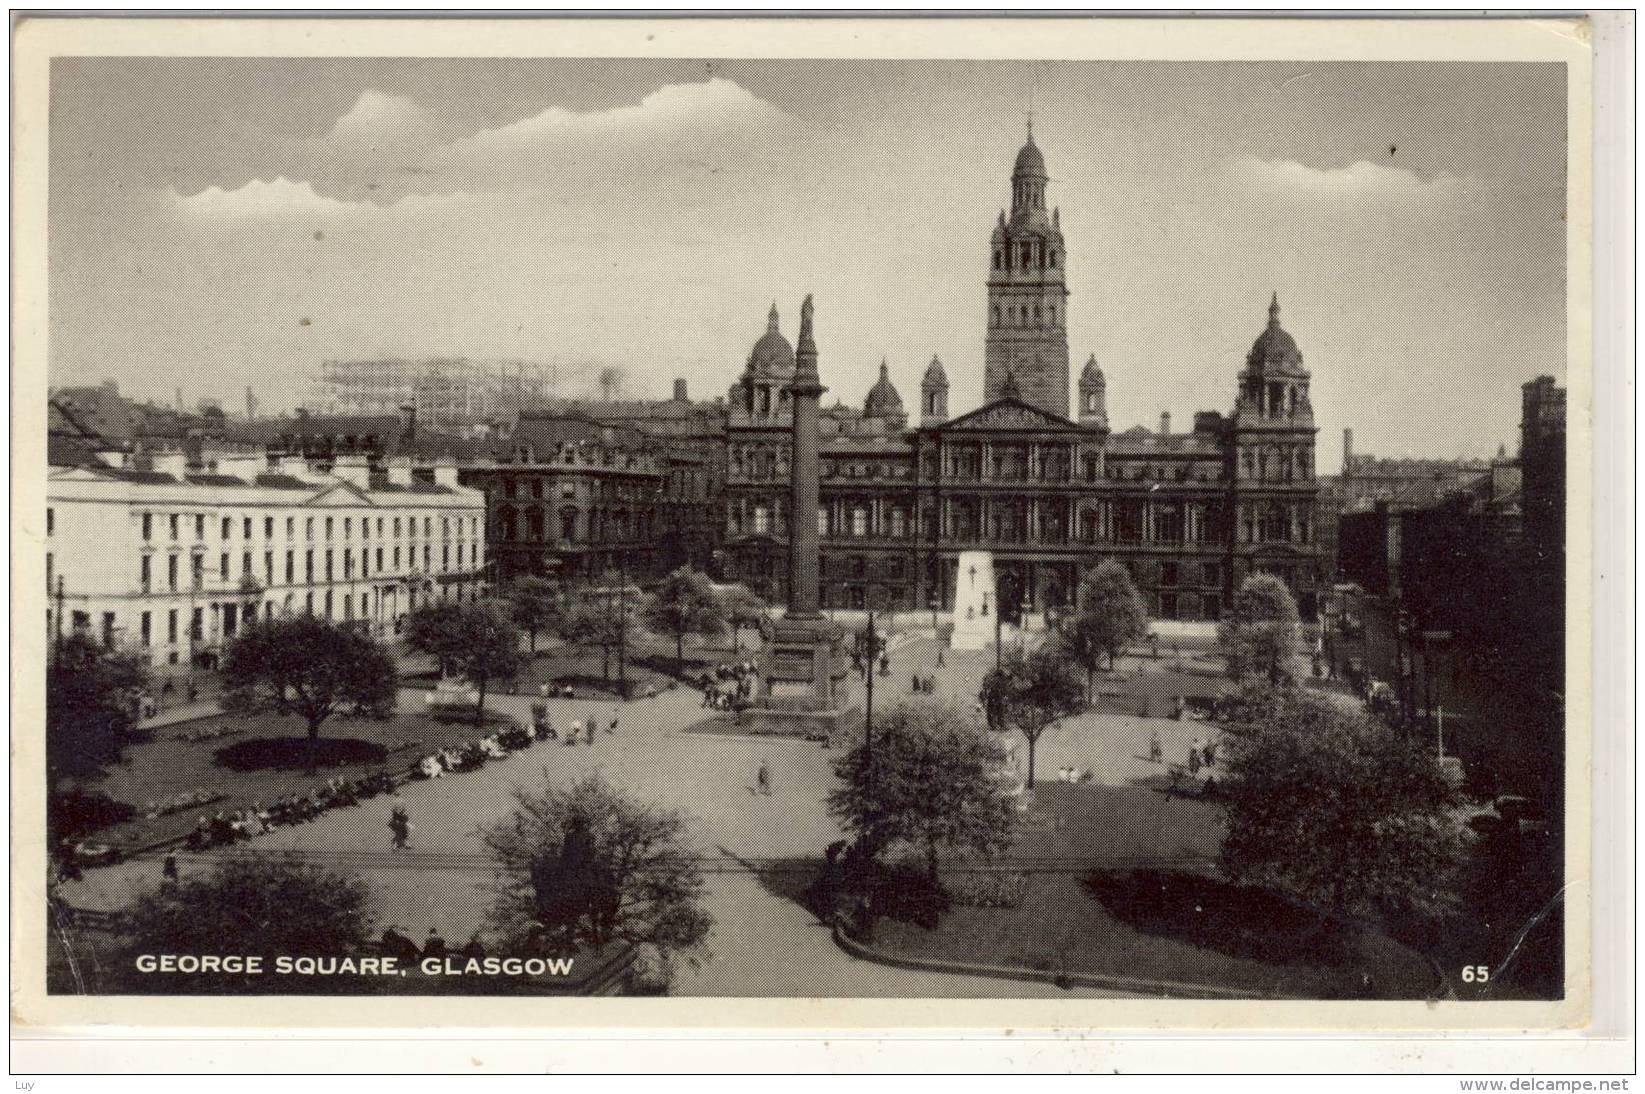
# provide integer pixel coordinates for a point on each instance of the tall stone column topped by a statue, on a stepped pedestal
(804, 661)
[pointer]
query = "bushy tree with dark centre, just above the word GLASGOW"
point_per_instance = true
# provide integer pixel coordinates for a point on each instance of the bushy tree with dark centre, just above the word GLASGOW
(588, 865)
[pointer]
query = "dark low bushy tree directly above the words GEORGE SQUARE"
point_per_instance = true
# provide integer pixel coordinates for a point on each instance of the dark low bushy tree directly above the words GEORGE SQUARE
(254, 906)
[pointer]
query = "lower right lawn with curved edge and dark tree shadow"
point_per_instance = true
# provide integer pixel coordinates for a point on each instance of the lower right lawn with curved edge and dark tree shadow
(1151, 912)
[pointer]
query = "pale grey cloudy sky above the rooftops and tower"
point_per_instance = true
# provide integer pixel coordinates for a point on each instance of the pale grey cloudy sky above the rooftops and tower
(229, 223)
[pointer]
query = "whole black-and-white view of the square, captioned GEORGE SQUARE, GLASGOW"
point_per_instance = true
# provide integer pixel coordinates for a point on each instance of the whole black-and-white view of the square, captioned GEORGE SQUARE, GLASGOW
(795, 527)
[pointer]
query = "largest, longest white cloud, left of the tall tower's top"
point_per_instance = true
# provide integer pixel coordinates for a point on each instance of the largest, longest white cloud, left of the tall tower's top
(695, 114)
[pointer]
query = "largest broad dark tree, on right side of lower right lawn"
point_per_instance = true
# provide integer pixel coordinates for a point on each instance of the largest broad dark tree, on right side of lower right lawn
(1328, 805)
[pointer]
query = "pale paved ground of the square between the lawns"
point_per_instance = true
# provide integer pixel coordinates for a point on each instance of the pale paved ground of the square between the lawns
(762, 943)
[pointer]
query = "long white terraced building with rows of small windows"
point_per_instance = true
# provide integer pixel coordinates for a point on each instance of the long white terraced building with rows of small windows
(172, 560)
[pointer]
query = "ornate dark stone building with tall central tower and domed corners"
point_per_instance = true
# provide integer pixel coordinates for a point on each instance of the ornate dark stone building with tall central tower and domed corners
(1192, 512)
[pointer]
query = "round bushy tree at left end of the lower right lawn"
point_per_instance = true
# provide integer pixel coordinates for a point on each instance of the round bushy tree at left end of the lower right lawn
(934, 782)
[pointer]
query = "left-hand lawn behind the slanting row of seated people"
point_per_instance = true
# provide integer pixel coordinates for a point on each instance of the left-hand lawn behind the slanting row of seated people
(169, 764)
